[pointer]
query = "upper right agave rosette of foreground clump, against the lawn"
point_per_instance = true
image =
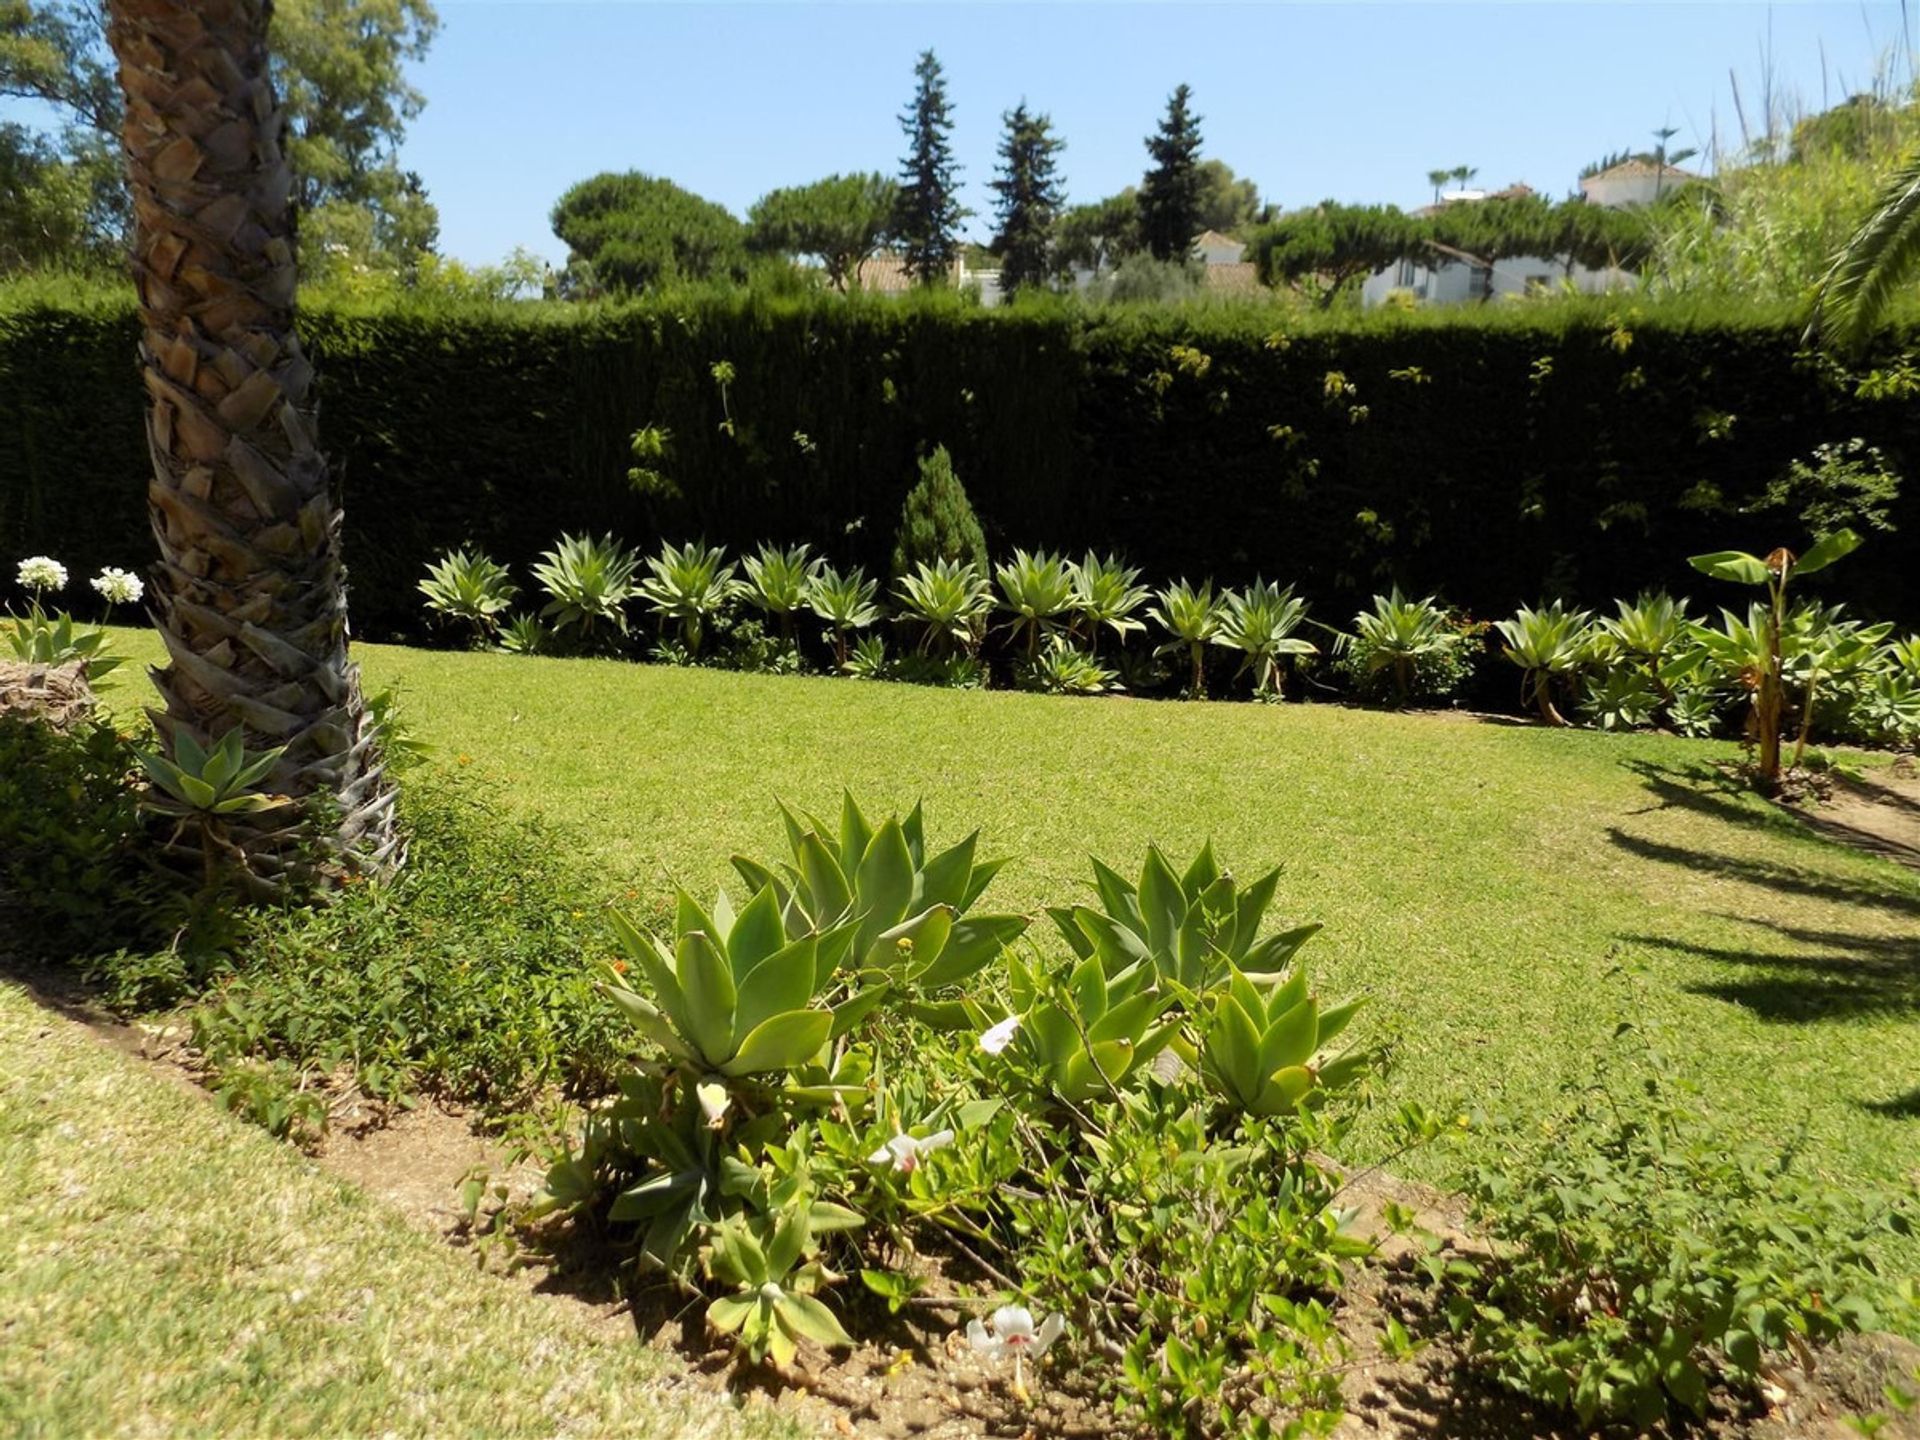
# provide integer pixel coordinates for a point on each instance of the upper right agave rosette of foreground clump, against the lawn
(1188, 926)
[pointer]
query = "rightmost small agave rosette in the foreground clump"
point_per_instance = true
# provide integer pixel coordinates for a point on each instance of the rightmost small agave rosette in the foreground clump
(1264, 1049)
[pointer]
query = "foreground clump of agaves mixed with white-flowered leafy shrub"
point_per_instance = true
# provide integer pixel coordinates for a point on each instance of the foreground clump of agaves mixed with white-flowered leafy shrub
(853, 1067)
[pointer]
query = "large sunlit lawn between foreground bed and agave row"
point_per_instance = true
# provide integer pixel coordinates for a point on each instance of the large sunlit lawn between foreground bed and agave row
(1500, 894)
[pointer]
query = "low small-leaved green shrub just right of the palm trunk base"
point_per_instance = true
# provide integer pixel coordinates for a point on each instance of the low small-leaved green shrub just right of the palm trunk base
(468, 974)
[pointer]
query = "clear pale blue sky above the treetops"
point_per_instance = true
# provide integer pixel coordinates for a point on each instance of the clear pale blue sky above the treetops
(1310, 101)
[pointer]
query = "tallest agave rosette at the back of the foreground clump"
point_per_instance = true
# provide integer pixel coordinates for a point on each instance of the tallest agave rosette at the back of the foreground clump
(909, 919)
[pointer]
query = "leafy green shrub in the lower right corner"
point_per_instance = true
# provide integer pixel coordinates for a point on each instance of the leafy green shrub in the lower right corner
(1646, 1253)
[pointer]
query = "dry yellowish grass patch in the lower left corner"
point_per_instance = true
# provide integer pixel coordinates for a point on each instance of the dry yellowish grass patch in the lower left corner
(178, 1274)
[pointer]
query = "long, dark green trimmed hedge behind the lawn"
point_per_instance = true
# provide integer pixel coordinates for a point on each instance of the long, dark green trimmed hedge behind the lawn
(1495, 458)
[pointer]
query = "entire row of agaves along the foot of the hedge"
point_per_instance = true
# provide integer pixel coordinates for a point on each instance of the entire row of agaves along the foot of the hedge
(1654, 663)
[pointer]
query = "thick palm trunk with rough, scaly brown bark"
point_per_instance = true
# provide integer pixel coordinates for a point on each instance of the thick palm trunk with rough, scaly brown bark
(249, 594)
